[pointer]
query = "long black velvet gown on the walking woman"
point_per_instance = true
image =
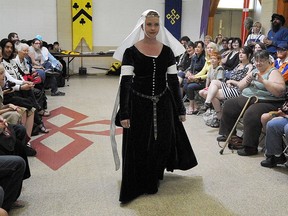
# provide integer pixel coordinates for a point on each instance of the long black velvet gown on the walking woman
(144, 154)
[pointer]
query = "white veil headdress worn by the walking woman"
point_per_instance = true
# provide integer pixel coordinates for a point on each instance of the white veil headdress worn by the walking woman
(164, 36)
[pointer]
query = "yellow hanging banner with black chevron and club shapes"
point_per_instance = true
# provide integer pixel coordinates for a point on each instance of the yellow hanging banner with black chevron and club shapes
(82, 22)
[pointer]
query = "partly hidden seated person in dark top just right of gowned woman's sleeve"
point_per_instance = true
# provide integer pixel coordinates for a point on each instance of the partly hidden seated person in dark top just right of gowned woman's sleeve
(185, 62)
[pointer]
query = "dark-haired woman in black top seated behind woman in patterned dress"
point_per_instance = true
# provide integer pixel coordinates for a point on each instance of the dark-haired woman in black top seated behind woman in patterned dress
(232, 59)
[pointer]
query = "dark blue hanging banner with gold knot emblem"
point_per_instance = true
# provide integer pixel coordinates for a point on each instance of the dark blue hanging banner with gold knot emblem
(173, 16)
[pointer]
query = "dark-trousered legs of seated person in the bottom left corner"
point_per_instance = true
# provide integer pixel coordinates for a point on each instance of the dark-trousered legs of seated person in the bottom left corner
(12, 169)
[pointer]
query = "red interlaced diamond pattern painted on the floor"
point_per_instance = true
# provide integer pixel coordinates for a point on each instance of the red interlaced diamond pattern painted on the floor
(56, 160)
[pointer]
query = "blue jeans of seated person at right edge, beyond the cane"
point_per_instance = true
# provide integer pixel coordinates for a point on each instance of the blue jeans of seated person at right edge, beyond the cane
(274, 132)
